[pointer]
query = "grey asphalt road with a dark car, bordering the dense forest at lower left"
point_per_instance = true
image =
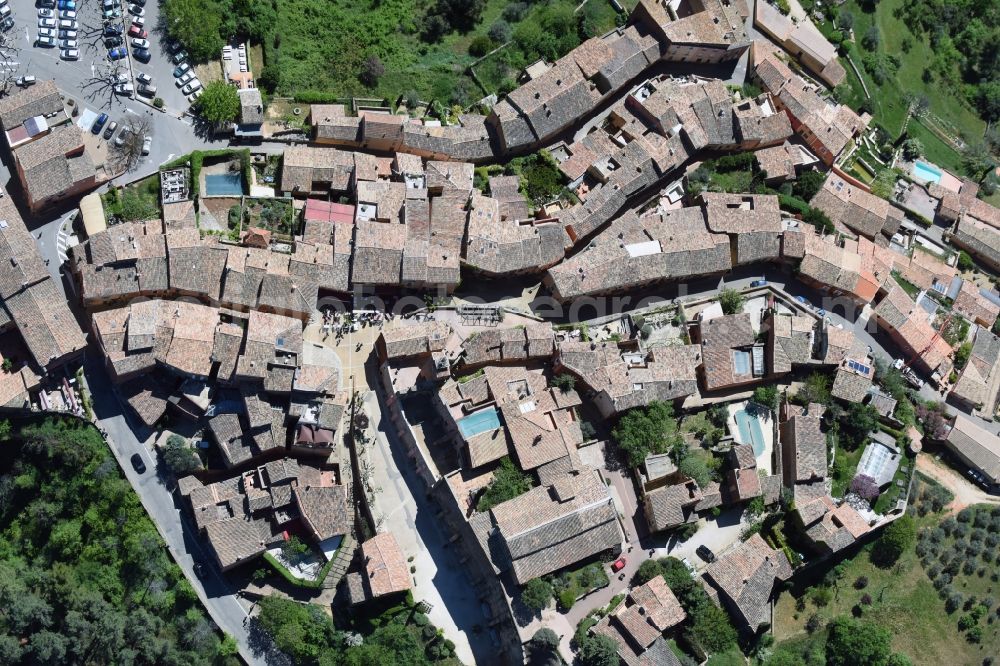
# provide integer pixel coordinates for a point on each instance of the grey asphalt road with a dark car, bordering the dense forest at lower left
(185, 546)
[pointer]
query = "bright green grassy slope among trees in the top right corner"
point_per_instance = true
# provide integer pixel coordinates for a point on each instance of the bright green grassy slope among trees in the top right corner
(889, 104)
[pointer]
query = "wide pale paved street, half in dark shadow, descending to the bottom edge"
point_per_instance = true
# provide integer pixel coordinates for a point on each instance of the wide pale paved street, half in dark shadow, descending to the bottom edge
(441, 579)
